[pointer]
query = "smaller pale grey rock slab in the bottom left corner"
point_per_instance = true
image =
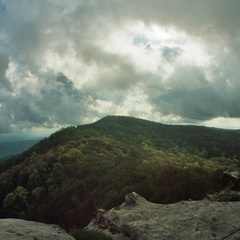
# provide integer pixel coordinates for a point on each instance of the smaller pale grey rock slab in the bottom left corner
(17, 229)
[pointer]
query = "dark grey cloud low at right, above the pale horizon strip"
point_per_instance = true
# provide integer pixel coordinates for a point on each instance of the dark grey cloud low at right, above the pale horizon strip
(190, 95)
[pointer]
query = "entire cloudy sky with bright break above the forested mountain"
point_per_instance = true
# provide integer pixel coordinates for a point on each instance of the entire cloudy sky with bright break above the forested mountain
(72, 62)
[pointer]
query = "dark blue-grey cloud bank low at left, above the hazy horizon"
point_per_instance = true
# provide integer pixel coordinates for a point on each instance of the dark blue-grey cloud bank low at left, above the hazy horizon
(58, 104)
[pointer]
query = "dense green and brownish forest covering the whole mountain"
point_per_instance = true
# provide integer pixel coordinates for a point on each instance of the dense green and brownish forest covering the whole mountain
(66, 177)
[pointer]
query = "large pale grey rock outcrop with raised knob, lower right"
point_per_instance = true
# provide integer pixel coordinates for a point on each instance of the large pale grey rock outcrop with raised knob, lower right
(138, 219)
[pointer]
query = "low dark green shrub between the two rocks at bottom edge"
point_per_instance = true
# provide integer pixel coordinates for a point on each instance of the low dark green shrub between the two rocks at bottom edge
(90, 235)
